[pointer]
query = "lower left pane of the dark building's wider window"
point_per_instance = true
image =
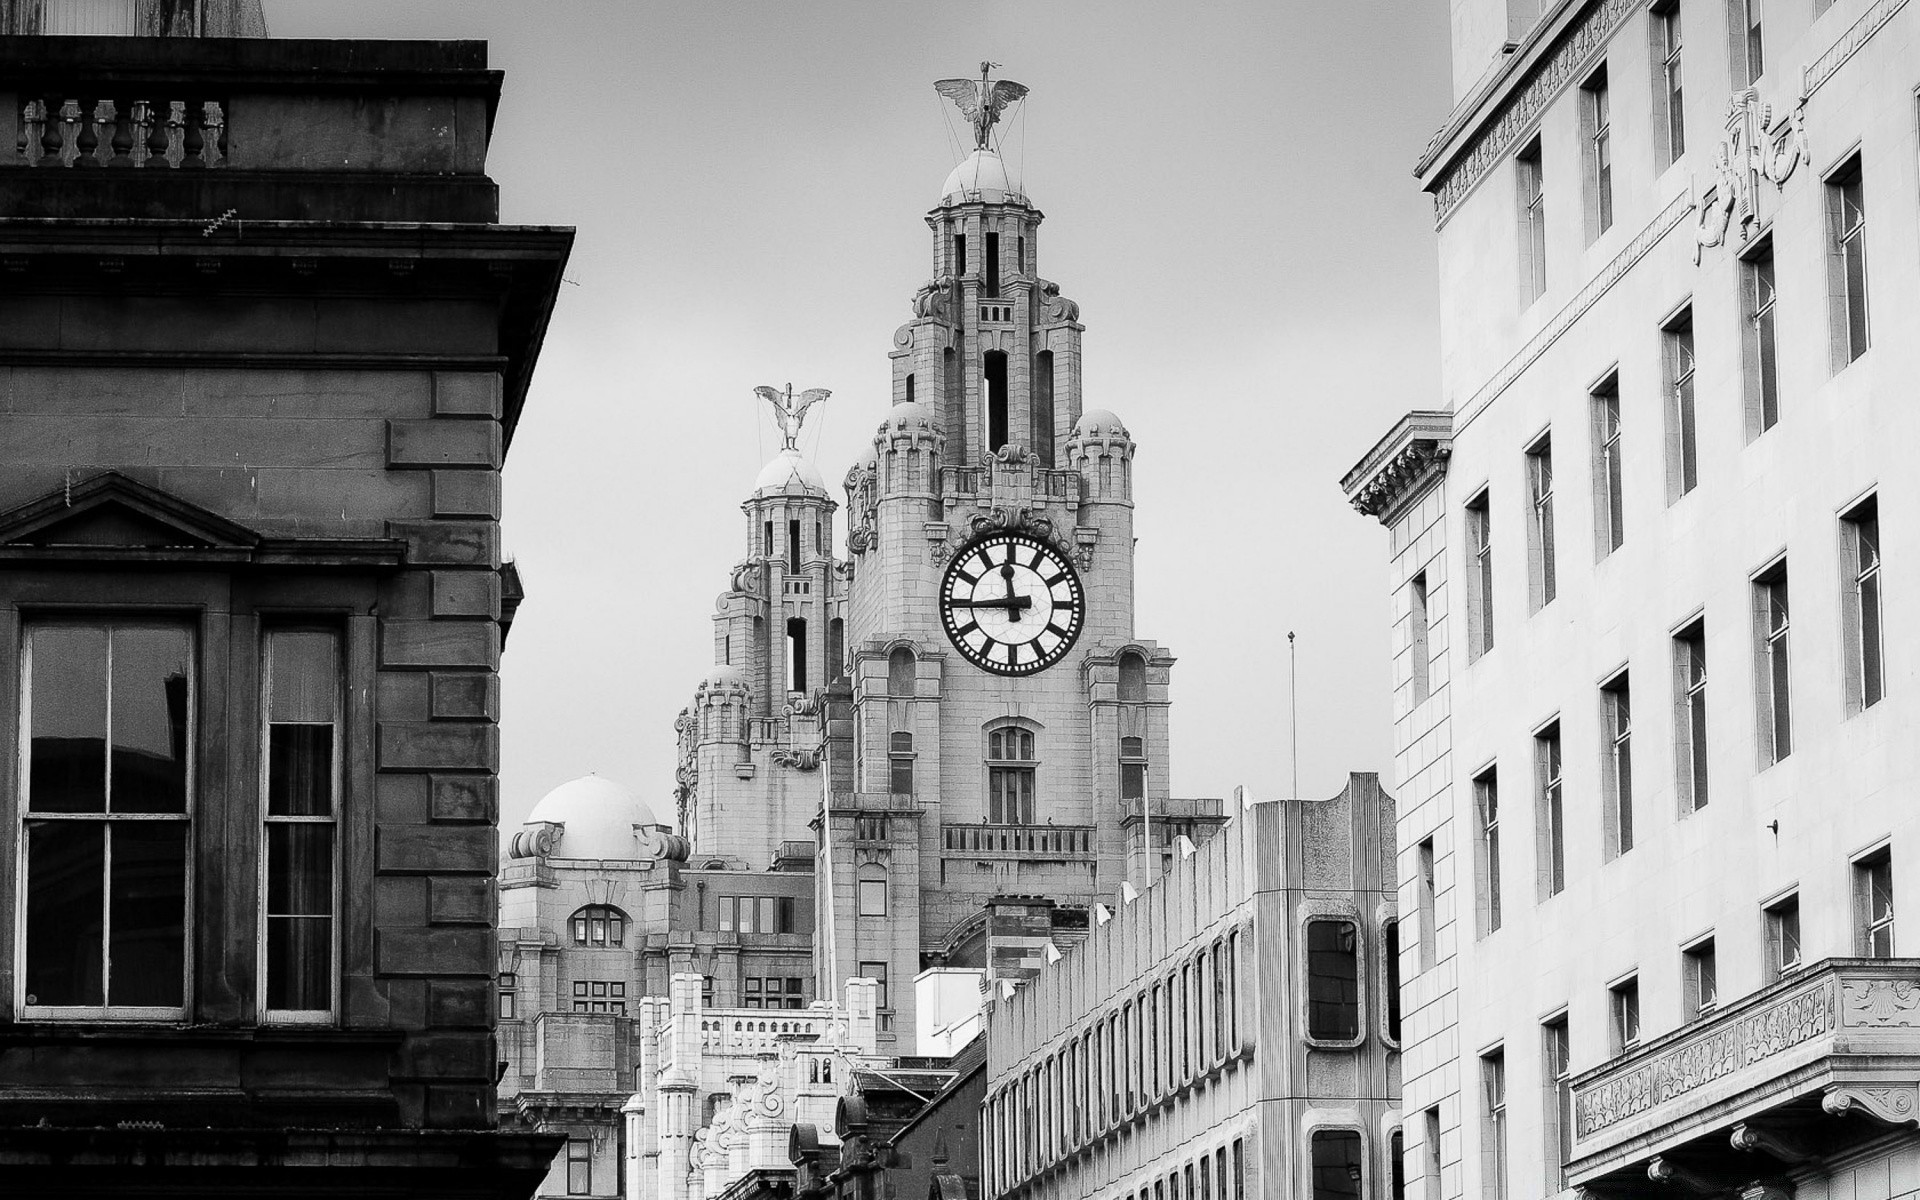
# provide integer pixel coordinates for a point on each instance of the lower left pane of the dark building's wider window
(66, 876)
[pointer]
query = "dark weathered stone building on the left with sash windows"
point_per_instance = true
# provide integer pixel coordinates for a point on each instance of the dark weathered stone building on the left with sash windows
(252, 610)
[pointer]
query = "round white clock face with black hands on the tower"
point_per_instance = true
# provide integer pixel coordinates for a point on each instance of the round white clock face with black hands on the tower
(1013, 604)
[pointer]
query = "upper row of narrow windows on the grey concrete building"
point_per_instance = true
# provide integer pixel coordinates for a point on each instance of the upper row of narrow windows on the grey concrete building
(1122, 1063)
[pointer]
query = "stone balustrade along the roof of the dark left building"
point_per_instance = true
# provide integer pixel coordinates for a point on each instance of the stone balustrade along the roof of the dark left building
(84, 130)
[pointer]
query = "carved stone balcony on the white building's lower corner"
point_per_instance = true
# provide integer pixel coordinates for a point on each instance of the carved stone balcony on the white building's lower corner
(1783, 1080)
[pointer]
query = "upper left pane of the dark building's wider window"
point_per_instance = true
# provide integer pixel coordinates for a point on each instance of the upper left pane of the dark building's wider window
(70, 721)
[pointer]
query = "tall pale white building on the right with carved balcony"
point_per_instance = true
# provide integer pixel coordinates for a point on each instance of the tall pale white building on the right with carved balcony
(1679, 266)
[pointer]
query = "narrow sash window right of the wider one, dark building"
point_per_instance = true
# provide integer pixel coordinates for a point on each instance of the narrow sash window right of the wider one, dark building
(302, 779)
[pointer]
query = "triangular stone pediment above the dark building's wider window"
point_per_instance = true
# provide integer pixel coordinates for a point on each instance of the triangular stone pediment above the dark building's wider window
(110, 510)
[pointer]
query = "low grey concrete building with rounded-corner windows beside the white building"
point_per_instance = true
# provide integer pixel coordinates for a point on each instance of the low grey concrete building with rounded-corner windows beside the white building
(1234, 1032)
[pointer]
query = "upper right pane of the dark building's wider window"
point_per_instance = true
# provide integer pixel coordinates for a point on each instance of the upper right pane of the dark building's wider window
(149, 719)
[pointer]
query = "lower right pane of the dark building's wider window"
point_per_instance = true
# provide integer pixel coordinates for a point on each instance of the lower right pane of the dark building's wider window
(147, 949)
